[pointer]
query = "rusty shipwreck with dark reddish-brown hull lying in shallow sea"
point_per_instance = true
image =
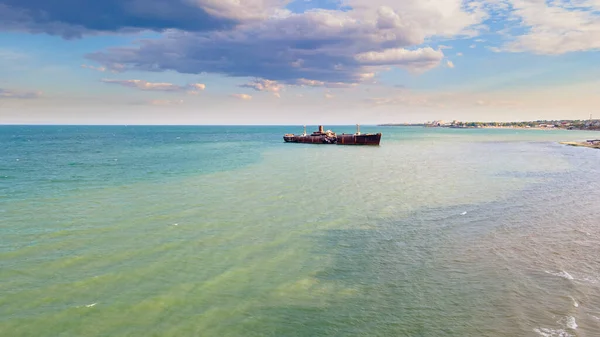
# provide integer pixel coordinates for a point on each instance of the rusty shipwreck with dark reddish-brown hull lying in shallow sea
(329, 137)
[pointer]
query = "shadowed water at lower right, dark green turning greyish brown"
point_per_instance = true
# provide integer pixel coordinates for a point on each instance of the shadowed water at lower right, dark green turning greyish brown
(504, 268)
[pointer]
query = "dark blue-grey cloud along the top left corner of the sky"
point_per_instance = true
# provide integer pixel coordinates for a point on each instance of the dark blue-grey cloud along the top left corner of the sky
(72, 19)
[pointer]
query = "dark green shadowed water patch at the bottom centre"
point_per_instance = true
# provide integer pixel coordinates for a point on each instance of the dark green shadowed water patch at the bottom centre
(401, 288)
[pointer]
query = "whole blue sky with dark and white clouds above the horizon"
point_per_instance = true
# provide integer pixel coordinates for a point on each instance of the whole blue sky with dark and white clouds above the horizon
(297, 61)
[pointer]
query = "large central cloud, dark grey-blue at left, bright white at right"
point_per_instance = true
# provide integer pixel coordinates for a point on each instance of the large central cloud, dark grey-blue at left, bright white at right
(325, 46)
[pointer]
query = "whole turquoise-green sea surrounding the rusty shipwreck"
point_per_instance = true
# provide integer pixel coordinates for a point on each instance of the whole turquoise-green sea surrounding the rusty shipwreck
(229, 231)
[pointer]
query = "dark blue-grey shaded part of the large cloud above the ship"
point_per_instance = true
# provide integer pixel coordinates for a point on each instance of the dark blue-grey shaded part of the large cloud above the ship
(192, 54)
